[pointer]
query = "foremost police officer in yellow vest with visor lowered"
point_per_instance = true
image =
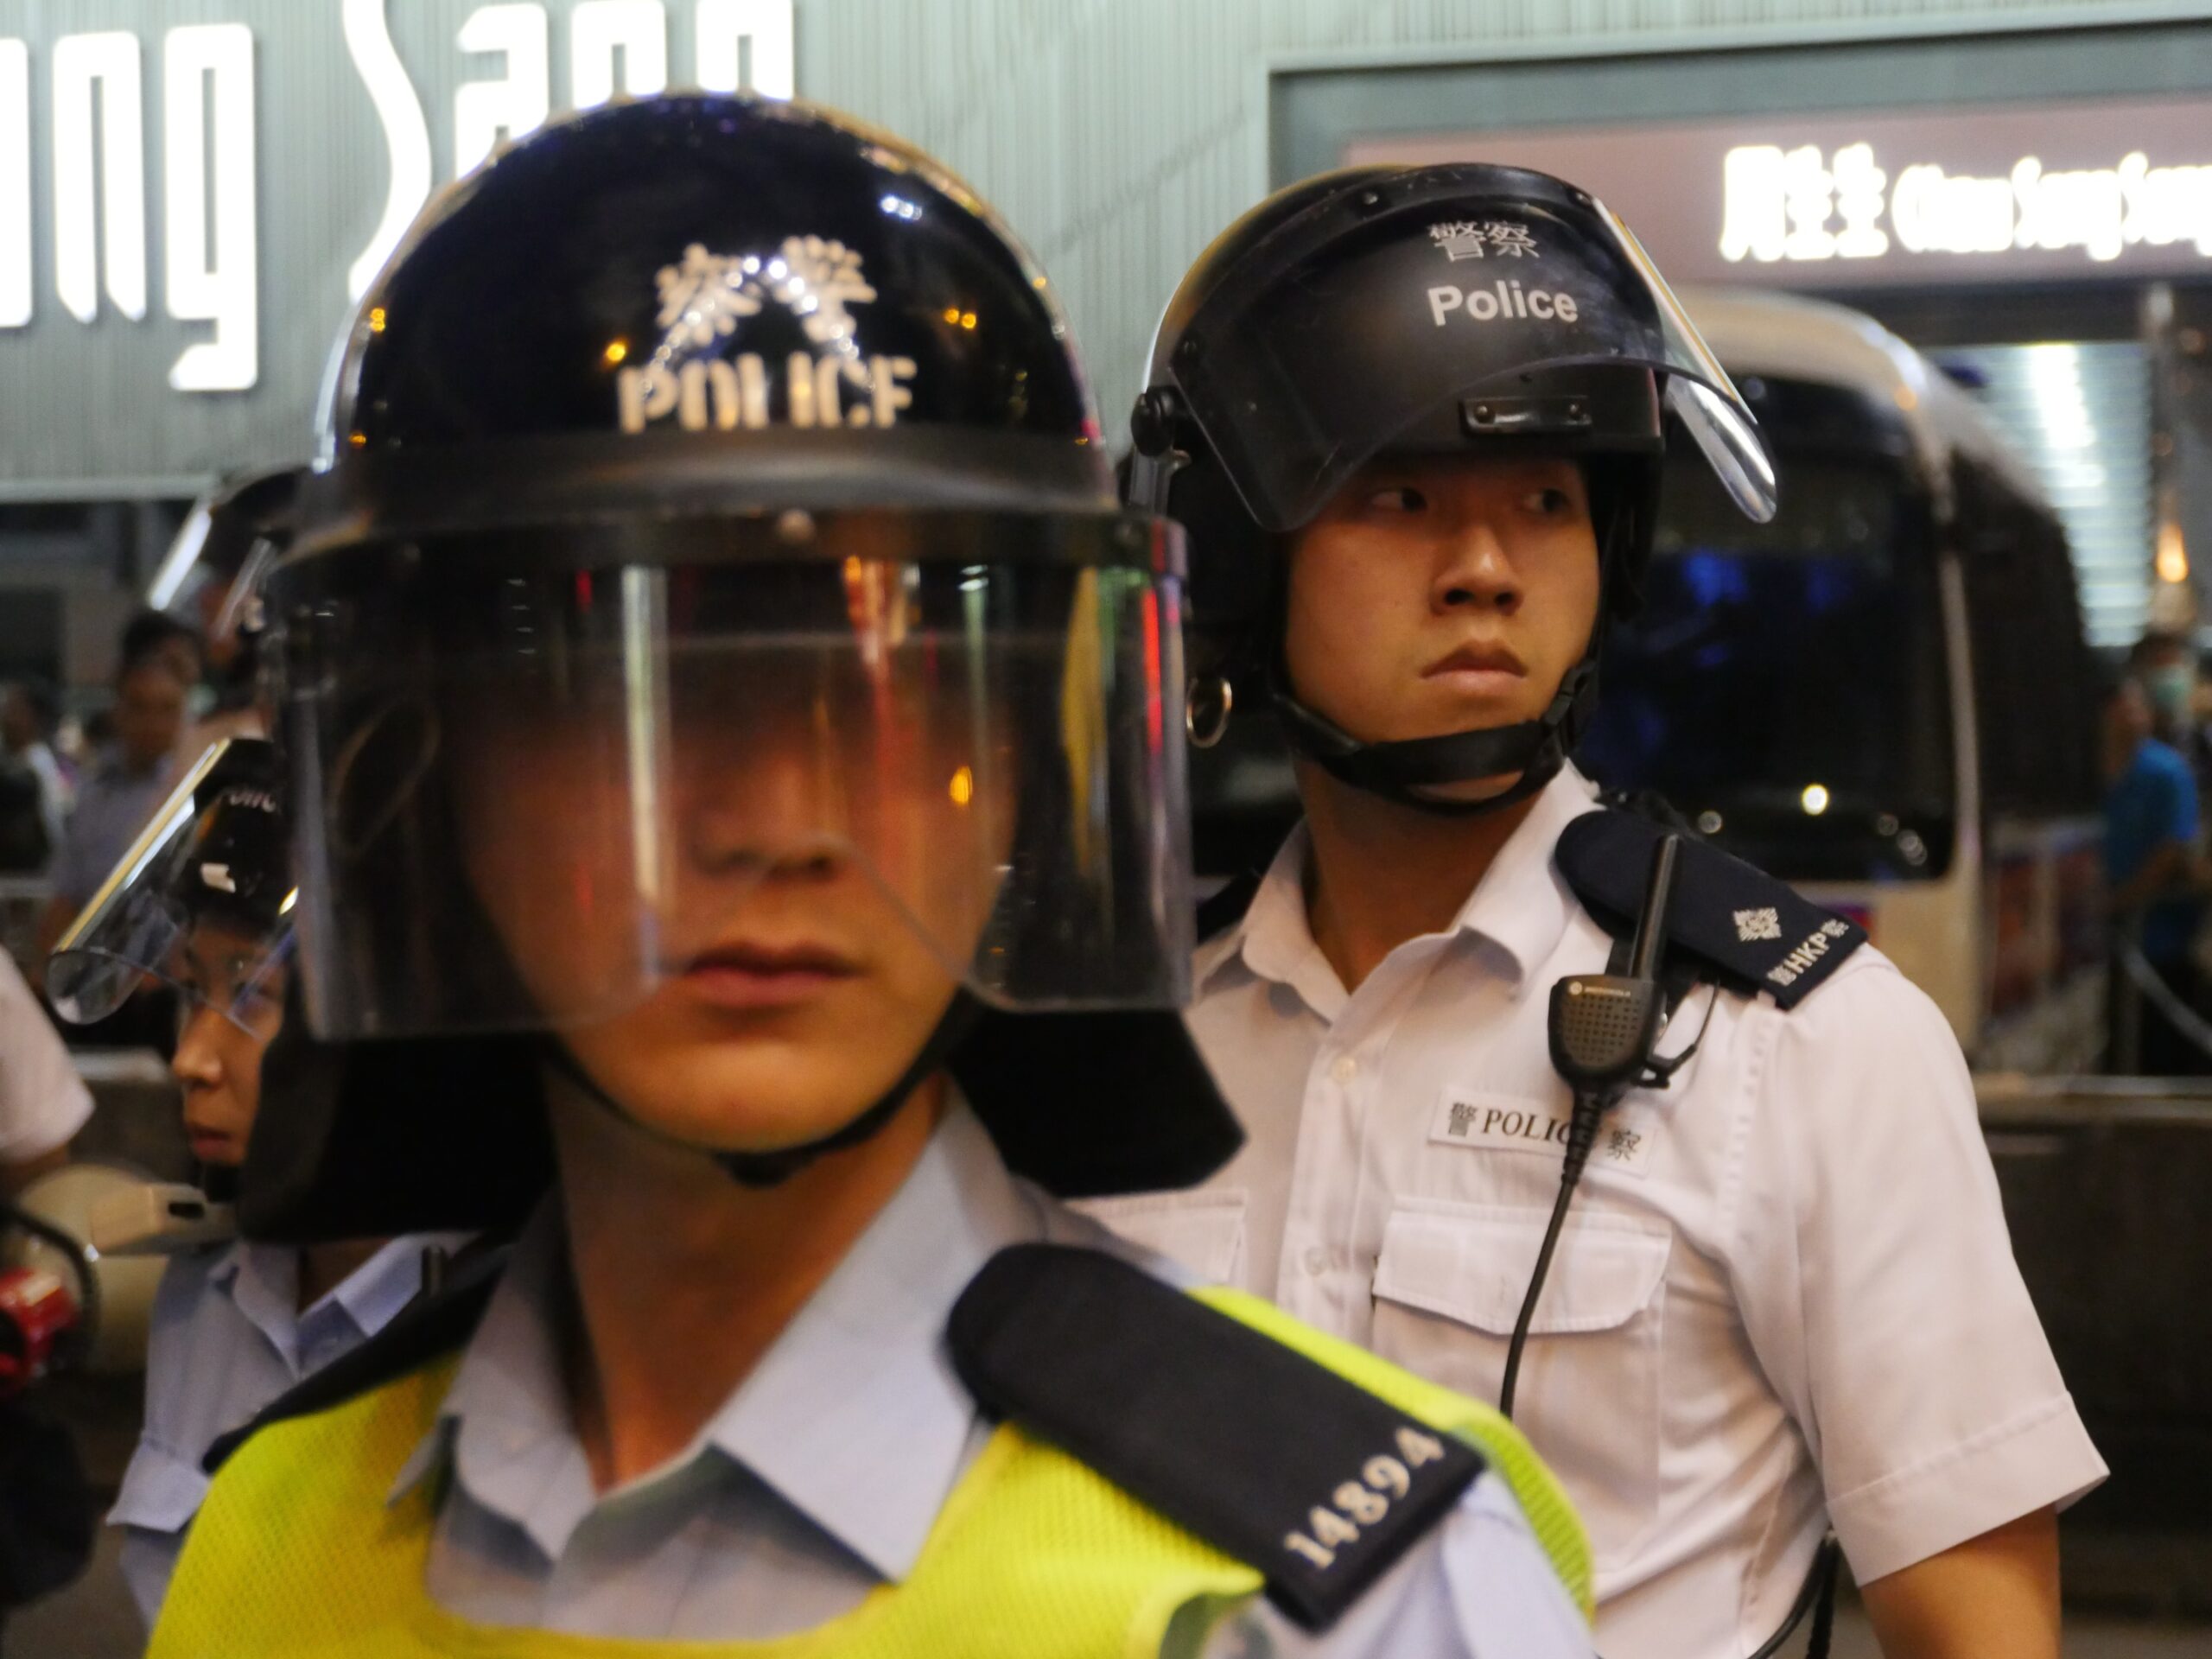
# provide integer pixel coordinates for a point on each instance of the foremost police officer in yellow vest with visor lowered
(731, 740)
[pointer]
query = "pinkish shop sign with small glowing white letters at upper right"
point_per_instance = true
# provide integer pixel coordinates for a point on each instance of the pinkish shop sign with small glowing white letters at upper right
(1979, 194)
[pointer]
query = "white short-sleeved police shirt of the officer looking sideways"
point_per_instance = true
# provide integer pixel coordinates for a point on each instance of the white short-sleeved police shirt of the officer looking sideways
(1784, 1293)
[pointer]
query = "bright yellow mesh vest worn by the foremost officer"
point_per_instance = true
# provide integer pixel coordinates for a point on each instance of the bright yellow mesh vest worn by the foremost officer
(300, 1550)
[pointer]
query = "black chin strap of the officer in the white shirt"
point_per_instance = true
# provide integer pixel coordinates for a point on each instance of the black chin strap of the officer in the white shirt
(1415, 769)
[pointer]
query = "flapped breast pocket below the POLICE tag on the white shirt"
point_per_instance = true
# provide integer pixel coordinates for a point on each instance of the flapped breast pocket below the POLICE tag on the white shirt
(1450, 1286)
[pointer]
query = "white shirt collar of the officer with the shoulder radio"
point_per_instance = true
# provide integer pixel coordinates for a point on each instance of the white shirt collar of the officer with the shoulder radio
(1521, 906)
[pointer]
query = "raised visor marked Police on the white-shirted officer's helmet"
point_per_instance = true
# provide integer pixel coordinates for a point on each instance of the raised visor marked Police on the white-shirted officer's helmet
(1419, 313)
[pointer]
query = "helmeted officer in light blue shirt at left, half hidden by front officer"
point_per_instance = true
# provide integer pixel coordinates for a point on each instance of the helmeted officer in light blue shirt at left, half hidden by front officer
(236, 1322)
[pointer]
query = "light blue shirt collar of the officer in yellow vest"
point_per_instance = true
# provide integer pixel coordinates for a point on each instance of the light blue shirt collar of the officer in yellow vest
(855, 1415)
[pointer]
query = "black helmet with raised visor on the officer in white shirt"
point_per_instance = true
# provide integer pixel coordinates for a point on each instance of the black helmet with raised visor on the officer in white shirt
(1430, 311)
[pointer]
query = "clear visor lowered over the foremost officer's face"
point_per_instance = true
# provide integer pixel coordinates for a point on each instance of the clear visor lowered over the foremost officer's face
(545, 773)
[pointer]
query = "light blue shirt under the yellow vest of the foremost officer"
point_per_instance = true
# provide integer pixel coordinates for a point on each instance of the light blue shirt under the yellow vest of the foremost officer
(826, 1470)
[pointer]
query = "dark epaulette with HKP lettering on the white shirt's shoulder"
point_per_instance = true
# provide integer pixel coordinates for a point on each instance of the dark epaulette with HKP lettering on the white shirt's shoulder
(1742, 926)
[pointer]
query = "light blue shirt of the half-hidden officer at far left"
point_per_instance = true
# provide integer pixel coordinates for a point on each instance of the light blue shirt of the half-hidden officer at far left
(229, 1339)
